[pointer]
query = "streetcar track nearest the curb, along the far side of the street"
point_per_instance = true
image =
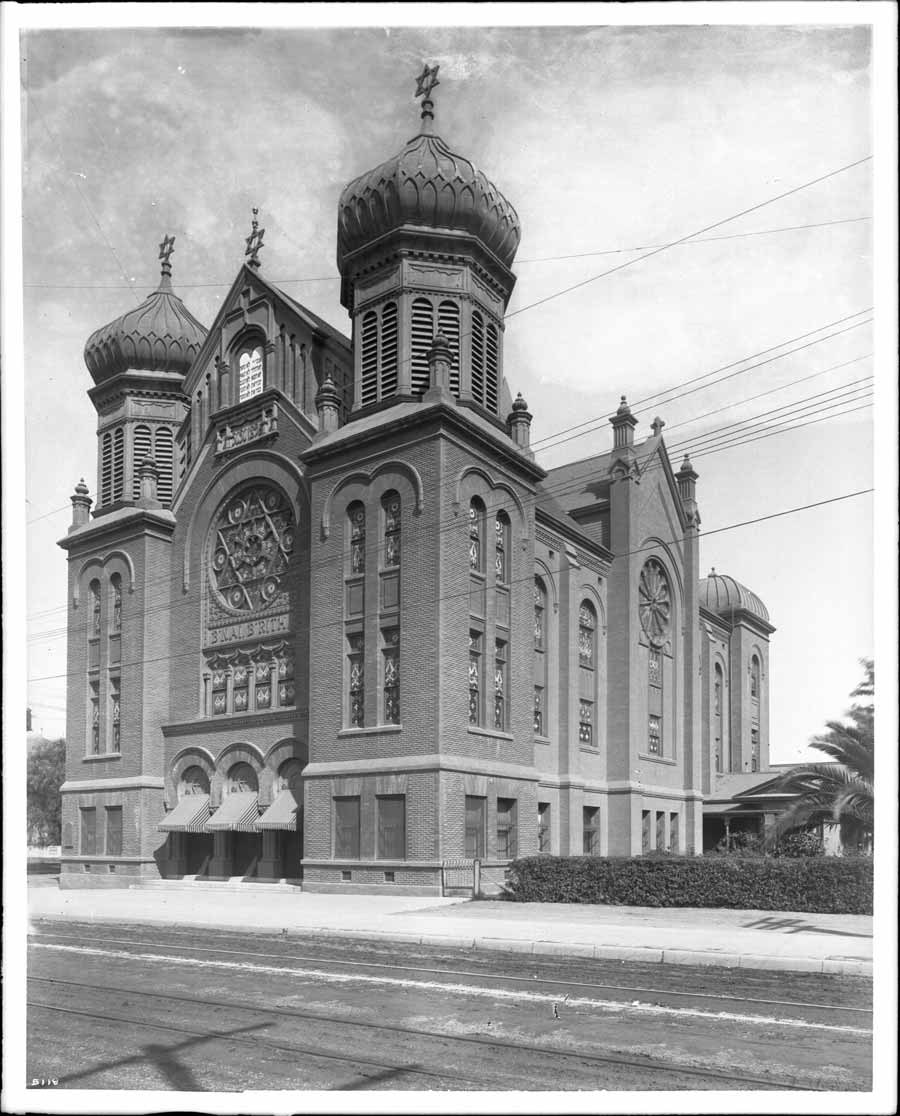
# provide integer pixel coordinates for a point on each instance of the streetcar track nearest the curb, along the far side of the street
(478, 976)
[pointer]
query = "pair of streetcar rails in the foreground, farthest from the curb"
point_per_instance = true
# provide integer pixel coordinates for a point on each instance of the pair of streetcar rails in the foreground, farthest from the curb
(643, 1063)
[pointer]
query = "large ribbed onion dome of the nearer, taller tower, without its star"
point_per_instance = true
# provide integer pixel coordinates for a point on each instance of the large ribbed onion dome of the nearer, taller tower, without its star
(430, 187)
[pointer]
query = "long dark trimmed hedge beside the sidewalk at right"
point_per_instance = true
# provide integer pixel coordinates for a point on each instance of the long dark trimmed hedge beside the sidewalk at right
(826, 886)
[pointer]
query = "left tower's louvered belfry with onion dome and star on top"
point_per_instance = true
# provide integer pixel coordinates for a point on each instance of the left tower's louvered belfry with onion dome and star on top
(139, 363)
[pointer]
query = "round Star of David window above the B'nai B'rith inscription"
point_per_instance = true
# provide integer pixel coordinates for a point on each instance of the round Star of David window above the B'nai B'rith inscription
(254, 542)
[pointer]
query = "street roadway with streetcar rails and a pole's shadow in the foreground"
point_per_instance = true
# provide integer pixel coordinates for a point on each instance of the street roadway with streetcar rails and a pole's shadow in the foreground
(117, 1006)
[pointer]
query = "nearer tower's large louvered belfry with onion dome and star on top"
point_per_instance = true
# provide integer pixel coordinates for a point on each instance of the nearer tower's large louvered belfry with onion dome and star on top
(425, 247)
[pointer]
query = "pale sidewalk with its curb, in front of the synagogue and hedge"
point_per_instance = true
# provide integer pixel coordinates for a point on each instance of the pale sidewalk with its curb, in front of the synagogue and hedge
(736, 939)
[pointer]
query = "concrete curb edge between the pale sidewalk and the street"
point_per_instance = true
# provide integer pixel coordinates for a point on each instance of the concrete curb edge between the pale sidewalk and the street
(846, 967)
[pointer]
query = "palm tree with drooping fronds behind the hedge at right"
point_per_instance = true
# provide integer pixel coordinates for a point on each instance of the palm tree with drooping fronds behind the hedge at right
(842, 792)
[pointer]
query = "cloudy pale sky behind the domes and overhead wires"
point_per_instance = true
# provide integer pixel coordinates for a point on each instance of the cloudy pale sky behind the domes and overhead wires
(610, 141)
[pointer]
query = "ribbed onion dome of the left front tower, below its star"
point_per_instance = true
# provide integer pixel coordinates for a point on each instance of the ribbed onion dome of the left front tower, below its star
(160, 335)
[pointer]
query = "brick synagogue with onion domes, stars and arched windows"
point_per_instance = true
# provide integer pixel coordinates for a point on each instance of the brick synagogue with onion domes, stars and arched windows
(331, 622)
